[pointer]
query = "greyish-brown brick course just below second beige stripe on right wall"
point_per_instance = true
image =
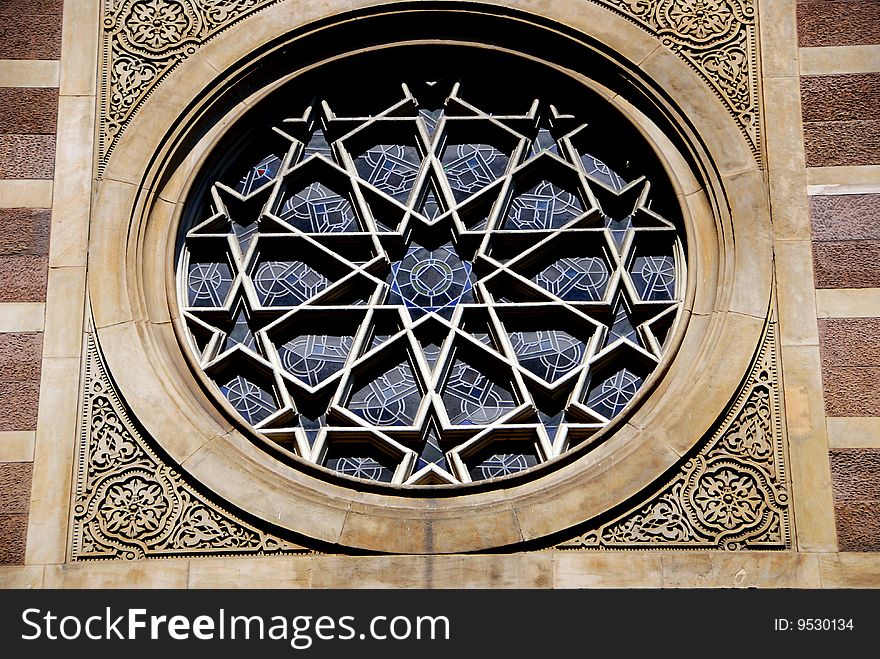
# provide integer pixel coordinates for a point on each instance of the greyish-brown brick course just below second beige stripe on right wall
(845, 217)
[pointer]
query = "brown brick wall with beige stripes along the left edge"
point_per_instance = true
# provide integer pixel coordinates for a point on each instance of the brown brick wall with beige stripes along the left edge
(30, 46)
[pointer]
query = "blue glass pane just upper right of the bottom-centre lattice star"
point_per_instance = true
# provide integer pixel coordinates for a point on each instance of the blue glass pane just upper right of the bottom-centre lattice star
(472, 398)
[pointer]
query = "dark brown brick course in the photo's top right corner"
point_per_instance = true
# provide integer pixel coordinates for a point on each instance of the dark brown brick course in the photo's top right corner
(838, 22)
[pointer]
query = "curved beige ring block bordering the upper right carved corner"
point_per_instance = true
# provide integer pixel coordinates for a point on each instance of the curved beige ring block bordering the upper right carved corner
(714, 123)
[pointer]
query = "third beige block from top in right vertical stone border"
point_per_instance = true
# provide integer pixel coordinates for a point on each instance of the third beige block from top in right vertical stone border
(796, 293)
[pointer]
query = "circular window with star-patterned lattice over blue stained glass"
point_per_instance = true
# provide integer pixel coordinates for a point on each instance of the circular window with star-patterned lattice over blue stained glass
(448, 270)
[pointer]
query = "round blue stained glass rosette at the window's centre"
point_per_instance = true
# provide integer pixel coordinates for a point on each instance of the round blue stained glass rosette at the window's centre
(430, 280)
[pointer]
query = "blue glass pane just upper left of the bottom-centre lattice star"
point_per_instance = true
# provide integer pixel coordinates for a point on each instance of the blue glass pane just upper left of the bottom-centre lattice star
(392, 399)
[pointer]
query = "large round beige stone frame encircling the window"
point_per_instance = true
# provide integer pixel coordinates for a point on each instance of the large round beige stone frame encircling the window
(728, 300)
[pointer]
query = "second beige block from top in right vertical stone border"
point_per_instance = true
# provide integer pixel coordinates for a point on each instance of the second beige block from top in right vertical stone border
(784, 140)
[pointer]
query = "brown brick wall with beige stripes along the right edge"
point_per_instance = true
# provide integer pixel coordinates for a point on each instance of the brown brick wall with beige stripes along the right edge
(841, 115)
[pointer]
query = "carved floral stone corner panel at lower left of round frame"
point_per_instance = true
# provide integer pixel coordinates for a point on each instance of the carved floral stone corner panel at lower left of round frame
(129, 504)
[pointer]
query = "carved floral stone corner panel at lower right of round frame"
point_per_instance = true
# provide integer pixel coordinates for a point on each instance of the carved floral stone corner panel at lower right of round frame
(731, 495)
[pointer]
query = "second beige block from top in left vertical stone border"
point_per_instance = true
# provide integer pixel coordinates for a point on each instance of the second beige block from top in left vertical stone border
(73, 181)
